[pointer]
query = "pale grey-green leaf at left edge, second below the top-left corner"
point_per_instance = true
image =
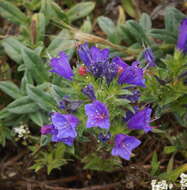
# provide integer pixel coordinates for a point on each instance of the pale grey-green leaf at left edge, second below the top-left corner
(13, 49)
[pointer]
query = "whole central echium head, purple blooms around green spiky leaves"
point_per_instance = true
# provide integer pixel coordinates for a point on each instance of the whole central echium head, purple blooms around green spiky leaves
(101, 97)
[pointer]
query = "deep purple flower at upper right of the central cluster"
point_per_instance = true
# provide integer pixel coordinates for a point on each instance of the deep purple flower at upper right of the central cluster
(132, 75)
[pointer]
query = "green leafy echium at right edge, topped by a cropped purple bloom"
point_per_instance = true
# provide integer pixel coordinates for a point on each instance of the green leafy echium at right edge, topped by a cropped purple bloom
(166, 83)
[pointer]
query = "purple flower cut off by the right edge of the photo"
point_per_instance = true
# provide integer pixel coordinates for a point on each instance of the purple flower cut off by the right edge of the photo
(182, 36)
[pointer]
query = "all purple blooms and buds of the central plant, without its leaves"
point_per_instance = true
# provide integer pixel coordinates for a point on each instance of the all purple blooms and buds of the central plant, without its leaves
(98, 64)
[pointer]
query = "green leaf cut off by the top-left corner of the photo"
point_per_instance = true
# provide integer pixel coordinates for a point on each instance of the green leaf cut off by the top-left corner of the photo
(12, 13)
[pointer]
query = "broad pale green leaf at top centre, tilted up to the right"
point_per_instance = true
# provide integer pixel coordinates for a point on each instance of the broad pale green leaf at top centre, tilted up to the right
(80, 10)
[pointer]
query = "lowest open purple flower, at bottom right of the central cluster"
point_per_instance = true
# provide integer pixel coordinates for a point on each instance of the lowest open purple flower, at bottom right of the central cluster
(124, 145)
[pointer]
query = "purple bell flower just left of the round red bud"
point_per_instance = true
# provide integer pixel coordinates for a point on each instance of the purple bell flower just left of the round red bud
(60, 65)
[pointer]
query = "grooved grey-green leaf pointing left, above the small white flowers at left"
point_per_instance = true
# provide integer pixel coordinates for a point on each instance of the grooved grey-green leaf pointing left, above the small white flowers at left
(22, 105)
